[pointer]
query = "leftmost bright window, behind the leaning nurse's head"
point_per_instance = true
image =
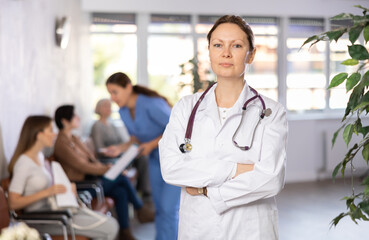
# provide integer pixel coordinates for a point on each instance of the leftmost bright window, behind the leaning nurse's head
(114, 48)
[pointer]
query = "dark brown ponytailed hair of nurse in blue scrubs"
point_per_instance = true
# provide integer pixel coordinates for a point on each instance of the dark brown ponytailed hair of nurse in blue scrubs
(121, 79)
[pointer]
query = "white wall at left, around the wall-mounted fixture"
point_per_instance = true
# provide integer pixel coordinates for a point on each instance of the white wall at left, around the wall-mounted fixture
(35, 75)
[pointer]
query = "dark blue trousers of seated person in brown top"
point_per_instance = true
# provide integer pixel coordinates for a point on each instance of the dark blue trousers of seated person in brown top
(122, 191)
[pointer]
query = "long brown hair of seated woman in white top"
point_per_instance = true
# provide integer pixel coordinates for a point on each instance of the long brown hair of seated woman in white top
(28, 136)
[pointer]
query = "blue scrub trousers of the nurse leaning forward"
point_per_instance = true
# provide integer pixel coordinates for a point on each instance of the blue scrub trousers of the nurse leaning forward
(166, 200)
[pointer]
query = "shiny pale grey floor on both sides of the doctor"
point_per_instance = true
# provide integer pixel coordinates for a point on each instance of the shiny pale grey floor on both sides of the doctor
(305, 212)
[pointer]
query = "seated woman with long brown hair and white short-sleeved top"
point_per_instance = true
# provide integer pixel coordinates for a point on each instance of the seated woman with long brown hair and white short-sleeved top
(31, 185)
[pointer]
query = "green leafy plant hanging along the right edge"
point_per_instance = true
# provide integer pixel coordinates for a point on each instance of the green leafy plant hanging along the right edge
(358, 83)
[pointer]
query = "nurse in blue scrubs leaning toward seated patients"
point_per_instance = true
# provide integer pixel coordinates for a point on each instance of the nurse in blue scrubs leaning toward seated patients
(145, 114)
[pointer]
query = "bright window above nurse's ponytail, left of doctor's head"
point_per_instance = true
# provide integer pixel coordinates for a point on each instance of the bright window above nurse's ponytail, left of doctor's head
(170, 44)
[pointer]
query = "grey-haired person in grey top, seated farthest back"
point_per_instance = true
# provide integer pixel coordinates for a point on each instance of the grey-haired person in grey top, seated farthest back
(105, 135)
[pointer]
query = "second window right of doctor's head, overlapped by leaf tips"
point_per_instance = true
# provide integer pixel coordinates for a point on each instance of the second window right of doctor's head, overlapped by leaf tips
(306, 79)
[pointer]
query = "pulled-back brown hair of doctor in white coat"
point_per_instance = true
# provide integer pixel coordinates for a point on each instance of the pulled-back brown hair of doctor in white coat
(239, 22)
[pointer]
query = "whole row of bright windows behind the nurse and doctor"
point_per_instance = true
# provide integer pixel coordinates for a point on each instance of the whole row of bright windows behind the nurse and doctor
(168, 41)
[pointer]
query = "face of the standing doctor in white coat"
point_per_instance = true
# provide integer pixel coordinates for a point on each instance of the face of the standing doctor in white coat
(229, 51)
